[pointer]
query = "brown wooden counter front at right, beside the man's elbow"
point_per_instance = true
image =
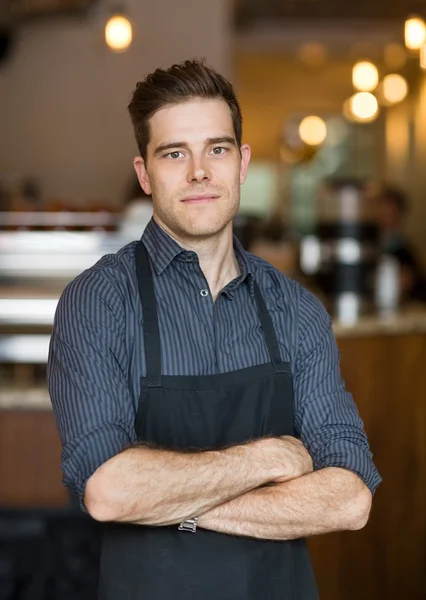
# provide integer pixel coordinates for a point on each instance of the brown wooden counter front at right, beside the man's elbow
(387, 559)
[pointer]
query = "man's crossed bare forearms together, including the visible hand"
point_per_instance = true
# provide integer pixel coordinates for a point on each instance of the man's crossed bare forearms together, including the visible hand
(265, 489)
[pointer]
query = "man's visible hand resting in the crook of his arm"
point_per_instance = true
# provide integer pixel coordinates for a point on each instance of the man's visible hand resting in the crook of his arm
(288, 458)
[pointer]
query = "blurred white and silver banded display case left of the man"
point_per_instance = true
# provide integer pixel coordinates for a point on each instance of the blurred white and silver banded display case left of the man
(39, 254)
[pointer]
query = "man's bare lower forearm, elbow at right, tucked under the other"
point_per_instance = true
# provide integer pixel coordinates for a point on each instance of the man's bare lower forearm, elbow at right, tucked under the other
(327, 500)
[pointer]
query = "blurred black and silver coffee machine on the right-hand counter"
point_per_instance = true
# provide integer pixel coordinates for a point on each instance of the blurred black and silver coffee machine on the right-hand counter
(341, 254)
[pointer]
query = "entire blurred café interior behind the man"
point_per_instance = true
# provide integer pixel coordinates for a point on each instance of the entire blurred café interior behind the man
(333, 97)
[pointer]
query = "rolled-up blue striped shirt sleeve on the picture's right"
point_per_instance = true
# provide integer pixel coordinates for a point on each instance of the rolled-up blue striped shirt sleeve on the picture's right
(325, 414)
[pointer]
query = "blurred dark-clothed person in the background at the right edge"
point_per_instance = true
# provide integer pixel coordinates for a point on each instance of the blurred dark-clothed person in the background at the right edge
(392, 211)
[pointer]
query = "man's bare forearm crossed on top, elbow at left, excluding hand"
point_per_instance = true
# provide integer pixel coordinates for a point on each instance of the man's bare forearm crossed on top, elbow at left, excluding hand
(161, 487)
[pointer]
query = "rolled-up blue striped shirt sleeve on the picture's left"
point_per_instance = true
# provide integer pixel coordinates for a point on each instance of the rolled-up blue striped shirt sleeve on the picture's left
(87, 379)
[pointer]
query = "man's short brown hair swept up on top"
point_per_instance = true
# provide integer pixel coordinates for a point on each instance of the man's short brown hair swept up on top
(179, 83)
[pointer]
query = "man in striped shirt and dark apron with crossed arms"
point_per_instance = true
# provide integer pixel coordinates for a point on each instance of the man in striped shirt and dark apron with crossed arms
(197, 389)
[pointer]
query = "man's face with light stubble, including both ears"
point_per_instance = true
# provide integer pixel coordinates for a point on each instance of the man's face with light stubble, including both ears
(194, 168)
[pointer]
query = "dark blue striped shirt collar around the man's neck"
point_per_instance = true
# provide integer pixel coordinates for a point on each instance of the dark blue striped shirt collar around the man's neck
(163, 249)
